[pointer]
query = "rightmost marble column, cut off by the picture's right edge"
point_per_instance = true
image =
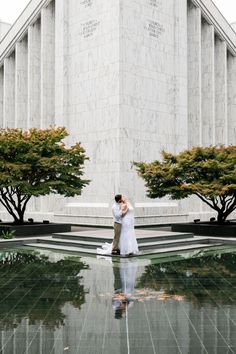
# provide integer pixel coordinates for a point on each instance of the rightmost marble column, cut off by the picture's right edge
(231, 125)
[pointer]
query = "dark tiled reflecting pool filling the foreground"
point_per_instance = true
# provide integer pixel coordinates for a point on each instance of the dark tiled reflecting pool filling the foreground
(60, 303)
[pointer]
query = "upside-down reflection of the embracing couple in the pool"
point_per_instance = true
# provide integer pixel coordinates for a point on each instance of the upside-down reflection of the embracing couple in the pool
(125, 275)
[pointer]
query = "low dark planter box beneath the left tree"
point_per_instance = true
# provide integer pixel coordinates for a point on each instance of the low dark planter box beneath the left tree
(32, 229)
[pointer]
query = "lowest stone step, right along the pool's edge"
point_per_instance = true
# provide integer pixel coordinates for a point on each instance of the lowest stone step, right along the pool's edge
(90, 251)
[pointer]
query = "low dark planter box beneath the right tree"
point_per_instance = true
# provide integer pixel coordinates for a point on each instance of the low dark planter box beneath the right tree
(207, 229)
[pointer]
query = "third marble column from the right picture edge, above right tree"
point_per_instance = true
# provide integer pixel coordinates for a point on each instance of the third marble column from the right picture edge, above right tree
(208, 84)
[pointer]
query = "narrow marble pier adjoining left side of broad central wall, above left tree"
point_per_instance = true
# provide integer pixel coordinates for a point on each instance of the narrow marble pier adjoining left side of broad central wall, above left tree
(61, 30)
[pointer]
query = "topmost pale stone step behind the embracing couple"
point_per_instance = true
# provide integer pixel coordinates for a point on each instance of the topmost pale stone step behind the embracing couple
(108, 236)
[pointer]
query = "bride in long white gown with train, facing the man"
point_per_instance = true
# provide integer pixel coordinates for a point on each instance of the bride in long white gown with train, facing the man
(128, 244)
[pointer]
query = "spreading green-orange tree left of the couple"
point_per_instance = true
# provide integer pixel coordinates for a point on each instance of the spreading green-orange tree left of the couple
(36, 163)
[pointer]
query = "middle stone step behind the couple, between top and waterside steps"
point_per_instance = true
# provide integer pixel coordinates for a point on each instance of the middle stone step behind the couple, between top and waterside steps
(142, 246)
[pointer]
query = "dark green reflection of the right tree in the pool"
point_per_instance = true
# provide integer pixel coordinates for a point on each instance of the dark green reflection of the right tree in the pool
(204, 280)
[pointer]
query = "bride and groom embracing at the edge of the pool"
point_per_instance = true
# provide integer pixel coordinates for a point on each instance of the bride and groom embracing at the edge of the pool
(124, 241)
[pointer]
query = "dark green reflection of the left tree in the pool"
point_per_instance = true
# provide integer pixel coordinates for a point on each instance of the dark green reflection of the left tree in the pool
(32, 287)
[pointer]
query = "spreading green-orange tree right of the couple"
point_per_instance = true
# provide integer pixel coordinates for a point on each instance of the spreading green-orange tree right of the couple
(207, 172)
